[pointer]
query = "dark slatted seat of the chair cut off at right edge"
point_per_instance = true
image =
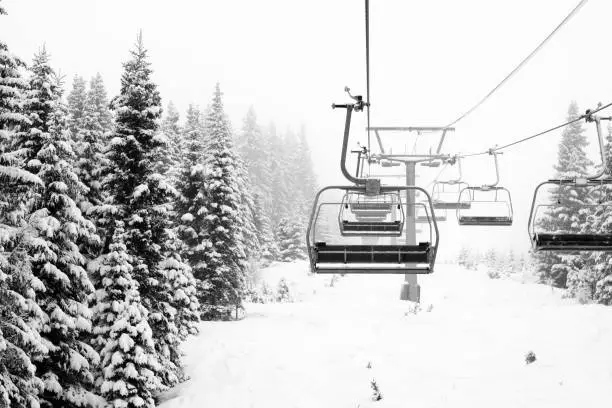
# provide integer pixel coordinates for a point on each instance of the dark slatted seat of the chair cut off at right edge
(572, 242)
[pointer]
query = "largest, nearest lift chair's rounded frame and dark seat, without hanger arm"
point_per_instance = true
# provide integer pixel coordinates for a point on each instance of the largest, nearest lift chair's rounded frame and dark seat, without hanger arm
(335, 251)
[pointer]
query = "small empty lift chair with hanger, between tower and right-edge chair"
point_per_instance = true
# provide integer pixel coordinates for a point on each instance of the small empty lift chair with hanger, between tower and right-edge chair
(489, 205)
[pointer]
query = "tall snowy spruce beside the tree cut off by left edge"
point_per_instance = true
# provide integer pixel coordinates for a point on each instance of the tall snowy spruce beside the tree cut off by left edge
(67, 368)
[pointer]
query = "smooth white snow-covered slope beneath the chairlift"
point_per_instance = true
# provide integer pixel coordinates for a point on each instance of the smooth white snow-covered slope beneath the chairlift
(467, 351)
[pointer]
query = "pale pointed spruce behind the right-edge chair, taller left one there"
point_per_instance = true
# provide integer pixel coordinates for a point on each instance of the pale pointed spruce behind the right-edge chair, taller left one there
(567, 215)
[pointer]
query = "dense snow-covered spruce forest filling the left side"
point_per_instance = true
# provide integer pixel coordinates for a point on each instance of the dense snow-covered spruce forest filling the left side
(122, 225)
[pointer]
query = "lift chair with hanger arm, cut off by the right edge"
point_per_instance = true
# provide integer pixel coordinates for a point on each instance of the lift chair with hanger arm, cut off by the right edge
(575, 231)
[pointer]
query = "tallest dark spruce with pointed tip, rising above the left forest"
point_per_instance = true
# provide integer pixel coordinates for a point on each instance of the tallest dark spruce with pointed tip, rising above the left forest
(141, 198)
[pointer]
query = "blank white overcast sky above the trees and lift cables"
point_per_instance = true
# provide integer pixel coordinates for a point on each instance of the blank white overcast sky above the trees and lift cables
(431, 60)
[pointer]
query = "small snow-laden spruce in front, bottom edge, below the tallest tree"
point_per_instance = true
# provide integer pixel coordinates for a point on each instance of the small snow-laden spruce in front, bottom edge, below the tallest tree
(123, 336)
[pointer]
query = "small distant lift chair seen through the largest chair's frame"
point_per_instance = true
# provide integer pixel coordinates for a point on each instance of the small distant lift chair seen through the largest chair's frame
(361, 214)
